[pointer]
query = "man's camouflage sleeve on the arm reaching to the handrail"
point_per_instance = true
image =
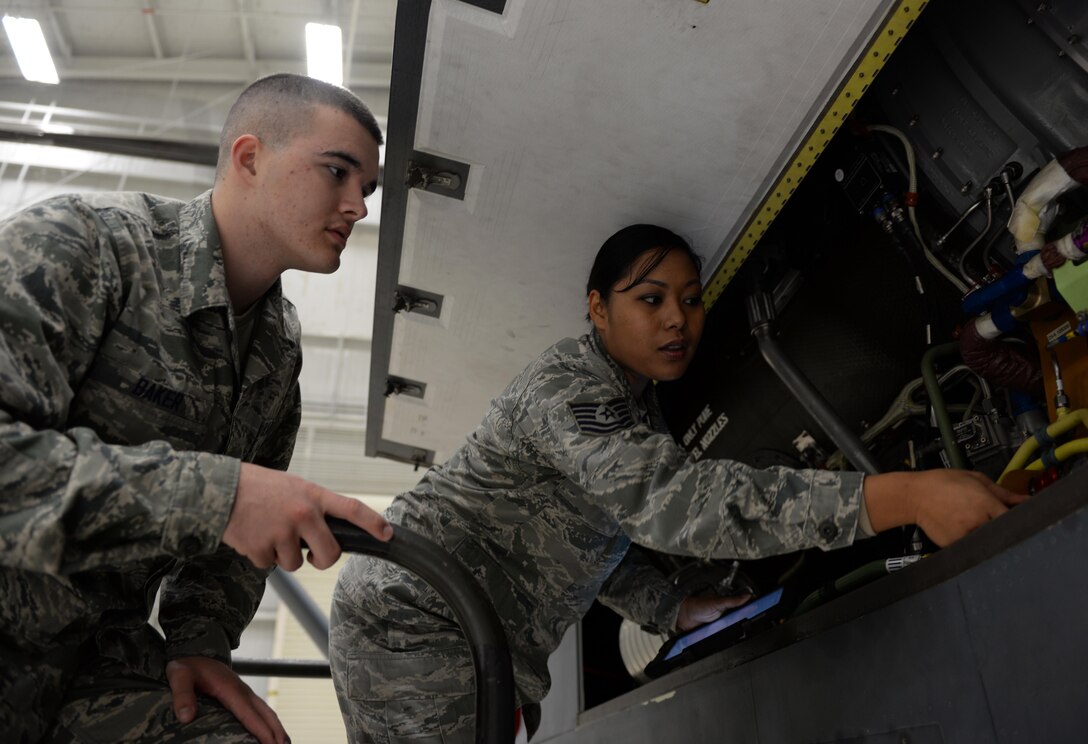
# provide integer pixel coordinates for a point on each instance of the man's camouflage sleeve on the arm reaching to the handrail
(68, 501)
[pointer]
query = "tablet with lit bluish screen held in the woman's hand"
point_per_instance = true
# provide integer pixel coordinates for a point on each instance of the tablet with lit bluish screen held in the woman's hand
(719, 635)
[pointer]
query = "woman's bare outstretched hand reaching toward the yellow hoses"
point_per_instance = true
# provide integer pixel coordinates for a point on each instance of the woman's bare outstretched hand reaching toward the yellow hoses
(946, 504)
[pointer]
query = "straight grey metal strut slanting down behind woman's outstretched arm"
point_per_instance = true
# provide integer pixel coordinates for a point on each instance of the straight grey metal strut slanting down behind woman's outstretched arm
(761, 316)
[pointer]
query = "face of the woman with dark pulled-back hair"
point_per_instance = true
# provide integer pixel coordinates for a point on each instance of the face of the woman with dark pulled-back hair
(652, 330)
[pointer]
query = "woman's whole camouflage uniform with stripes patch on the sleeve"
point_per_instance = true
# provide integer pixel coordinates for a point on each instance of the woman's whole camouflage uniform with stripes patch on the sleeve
(567, 470)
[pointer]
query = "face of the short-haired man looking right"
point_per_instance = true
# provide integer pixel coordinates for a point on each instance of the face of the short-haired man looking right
(312, 191)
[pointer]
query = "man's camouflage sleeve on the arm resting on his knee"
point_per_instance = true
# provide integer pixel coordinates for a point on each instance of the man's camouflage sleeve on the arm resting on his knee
(226, 587)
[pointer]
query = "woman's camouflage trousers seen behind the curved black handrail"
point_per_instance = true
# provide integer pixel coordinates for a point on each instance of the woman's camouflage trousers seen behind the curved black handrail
(403, 672)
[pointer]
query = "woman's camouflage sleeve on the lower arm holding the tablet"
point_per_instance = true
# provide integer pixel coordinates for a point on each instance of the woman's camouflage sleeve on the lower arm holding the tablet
(640, 592)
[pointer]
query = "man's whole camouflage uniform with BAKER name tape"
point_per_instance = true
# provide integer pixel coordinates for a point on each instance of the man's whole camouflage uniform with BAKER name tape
(123, 420)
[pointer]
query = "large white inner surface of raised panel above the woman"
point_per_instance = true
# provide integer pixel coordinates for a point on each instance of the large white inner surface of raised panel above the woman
(578, 119)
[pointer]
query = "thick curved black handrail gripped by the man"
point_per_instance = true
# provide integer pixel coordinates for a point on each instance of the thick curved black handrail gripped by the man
(491, 654)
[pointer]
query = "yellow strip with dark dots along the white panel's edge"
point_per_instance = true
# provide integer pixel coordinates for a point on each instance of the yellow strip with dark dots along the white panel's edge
(900, 20)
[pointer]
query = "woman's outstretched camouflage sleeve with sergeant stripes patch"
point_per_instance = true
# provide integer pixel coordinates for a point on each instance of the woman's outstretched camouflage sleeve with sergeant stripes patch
(665, 500)
